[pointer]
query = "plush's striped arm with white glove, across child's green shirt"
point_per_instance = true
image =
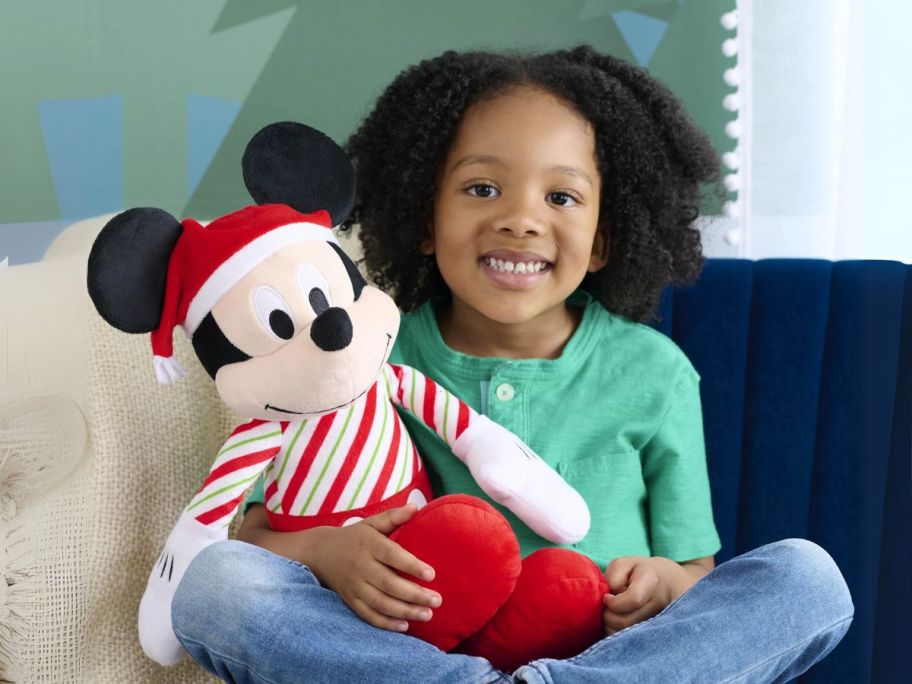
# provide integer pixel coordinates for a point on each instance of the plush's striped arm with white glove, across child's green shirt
(504, 467)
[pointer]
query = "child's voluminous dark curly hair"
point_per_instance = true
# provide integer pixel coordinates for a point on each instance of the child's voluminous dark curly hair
(651, 158)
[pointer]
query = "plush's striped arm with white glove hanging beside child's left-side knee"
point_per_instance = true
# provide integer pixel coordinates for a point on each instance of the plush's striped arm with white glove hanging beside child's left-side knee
(205, 521)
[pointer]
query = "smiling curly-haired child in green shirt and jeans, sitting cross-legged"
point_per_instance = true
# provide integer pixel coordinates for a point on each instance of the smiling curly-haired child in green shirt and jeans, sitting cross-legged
(527, 212)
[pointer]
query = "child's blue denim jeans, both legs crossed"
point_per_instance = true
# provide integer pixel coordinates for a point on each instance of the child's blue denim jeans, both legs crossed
(247, 615)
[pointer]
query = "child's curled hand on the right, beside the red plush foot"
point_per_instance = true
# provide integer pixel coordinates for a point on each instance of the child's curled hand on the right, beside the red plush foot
(641, 587)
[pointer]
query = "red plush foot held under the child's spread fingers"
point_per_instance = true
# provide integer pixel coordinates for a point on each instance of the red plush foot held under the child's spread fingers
(476, 559)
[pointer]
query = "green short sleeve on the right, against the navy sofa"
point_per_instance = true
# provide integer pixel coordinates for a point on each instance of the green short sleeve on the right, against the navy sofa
(681, 522)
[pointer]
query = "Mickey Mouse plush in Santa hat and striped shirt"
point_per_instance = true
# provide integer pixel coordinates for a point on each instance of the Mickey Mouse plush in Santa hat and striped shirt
(298, 342)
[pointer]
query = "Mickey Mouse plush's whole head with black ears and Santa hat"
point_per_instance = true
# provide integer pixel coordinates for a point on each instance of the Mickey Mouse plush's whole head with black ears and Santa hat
(278, 315)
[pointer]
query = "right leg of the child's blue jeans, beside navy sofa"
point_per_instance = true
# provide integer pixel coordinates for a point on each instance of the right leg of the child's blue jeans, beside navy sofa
(765, 616)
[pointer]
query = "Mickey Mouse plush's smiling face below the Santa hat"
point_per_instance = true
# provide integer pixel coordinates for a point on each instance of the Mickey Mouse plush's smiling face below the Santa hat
(304, 335)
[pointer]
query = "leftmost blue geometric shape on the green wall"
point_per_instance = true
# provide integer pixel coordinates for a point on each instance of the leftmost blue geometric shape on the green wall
(83, 140)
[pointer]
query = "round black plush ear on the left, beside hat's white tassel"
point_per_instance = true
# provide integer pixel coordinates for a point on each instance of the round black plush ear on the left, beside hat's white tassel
(128, 266)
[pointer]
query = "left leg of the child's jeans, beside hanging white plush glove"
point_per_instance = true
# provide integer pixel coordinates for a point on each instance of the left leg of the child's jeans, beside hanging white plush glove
(248, 615)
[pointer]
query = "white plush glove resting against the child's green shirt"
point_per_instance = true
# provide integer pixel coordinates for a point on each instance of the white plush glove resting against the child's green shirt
(516, 477)
